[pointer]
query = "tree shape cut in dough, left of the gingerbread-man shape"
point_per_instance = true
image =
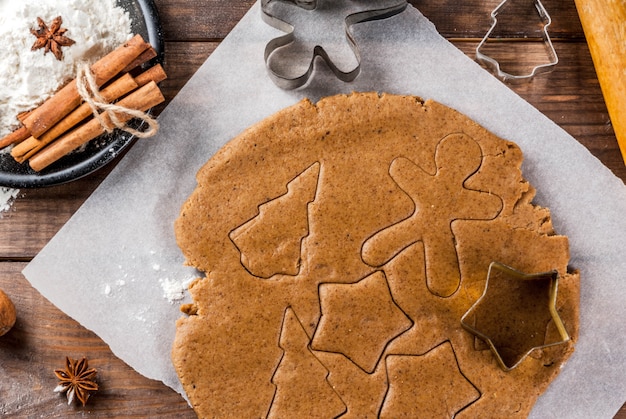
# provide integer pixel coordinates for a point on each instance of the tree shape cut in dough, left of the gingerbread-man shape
(270, 243)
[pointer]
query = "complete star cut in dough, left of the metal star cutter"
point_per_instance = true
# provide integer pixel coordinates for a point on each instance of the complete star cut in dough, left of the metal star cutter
(359, 320)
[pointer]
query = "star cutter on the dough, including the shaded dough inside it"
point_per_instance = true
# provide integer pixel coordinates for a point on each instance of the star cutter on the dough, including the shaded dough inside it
(522, 307)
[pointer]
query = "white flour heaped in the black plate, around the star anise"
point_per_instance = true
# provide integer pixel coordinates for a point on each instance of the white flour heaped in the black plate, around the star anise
(28, 77)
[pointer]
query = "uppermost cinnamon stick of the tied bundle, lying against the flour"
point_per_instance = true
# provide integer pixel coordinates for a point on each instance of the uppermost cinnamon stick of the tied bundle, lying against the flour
(67, 99)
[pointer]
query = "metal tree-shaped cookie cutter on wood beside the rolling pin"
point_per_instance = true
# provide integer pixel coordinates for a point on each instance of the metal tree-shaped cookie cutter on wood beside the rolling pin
(494, 65)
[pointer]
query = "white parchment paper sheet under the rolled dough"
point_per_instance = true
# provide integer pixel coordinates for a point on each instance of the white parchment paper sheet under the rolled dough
(108, 265)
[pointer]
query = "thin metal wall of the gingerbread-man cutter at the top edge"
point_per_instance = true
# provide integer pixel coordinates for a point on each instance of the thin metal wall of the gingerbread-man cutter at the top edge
(378, 9)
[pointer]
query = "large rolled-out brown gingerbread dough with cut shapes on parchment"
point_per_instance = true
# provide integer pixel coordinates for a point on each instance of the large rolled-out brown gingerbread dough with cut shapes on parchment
(342, 243)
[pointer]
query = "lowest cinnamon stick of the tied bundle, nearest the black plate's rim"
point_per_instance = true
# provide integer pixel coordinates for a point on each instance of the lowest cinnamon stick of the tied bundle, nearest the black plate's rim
(142, 99)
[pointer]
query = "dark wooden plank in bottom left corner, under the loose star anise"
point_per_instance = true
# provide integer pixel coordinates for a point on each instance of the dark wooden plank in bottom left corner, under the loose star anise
(38, 344)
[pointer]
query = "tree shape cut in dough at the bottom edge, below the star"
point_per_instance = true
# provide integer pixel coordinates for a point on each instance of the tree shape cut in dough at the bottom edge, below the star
(302, 389)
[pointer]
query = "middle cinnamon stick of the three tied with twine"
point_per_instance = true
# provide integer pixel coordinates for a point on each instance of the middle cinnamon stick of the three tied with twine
(32, 145)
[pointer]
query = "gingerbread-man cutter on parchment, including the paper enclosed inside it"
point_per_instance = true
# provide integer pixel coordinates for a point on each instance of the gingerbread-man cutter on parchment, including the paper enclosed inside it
(290, 61)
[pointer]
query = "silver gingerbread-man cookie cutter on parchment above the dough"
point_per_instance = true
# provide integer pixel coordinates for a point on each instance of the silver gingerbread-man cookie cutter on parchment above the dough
(351, 11)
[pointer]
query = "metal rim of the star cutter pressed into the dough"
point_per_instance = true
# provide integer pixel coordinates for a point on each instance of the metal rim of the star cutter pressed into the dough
(551, 277)
